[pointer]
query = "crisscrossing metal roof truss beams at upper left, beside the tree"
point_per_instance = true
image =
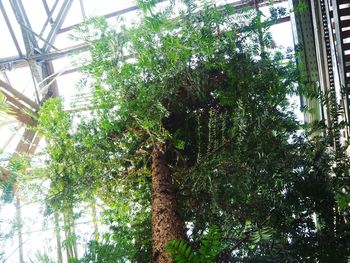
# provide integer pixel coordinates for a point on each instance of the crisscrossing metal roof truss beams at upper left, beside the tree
(40, 51)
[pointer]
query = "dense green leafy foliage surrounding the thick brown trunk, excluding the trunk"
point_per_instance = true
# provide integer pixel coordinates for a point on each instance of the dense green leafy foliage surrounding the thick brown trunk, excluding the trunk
(205, 85)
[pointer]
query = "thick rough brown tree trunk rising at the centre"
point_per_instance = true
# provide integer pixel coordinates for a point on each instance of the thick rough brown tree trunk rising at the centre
(166, 223)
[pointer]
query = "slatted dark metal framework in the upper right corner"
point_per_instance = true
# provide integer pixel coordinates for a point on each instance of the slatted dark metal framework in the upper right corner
(323, 30)
